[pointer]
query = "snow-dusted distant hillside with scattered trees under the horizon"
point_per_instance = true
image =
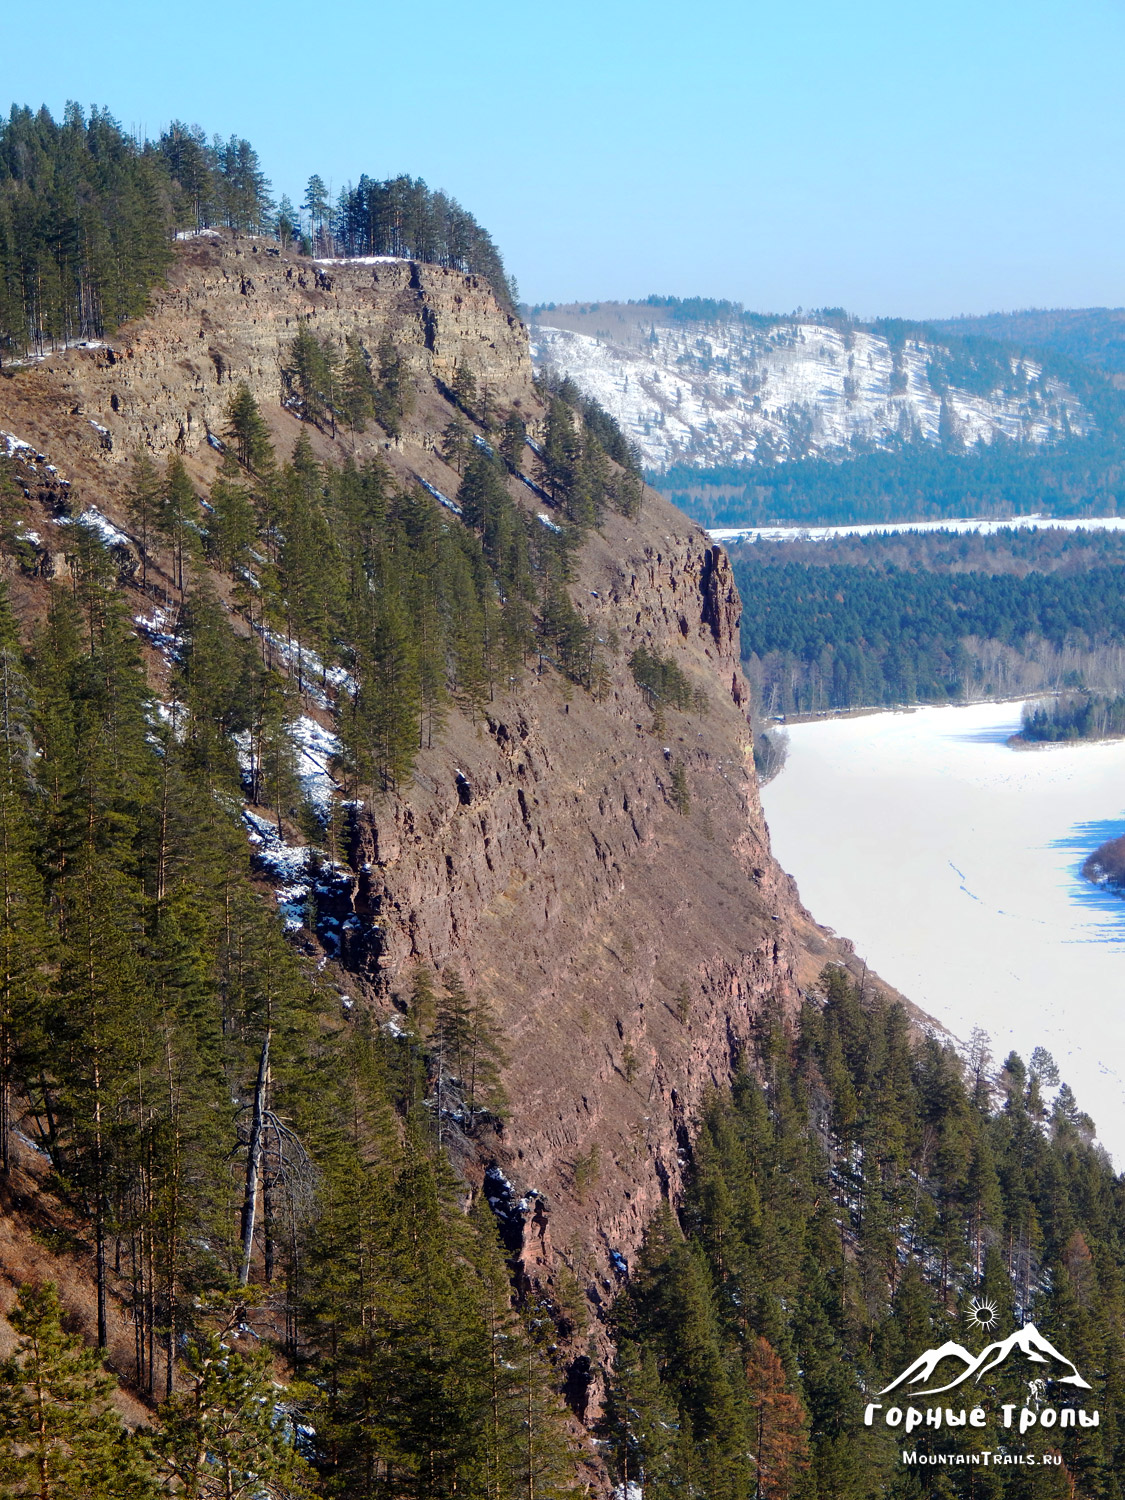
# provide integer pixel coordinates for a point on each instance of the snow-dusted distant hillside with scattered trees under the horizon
(728, 394)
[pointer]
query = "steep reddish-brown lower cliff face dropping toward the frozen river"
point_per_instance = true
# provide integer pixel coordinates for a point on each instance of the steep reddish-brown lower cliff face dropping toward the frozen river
(628, 946)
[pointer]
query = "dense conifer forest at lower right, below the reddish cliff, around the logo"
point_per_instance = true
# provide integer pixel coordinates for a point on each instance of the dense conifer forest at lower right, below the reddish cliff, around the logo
(847, 1202)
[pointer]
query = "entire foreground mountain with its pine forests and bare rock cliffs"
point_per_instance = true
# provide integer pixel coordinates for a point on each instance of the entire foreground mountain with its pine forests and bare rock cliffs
(388, 910)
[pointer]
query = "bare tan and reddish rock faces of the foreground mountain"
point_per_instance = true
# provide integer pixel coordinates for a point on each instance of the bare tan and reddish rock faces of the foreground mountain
(629, 937)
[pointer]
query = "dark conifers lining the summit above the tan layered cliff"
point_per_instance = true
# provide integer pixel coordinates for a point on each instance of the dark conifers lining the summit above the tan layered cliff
(88, 217)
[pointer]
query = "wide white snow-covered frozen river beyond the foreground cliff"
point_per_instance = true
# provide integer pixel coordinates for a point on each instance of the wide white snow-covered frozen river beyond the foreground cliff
(953, 863)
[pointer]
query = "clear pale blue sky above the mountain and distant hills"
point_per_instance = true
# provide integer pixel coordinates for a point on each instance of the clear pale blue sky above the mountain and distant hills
(892, 158)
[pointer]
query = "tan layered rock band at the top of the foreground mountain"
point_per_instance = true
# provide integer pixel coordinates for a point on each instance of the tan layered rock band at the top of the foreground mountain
(229, 316)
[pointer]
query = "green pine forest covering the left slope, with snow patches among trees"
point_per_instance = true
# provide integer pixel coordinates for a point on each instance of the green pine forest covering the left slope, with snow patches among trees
(223, 1130)
